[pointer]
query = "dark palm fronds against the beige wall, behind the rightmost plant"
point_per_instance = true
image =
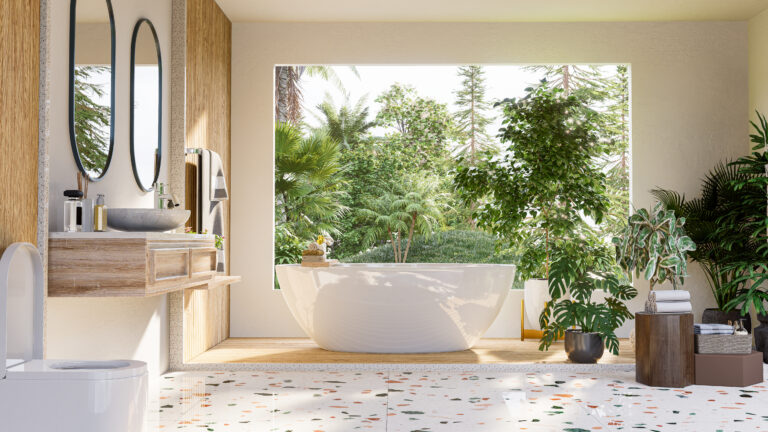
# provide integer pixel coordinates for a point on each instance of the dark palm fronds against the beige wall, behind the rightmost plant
(718, 196)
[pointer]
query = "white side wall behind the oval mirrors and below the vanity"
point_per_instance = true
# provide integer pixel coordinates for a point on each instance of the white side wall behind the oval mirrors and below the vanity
(105, 328)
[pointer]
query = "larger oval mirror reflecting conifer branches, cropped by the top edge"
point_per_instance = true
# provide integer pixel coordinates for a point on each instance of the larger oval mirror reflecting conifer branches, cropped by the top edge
(91, 85)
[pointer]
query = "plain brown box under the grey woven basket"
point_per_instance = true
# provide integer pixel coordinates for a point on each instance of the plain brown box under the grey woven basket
(731, 370)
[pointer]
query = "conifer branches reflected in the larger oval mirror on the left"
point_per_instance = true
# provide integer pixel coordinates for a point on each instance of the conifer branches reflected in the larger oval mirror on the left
(91, 120)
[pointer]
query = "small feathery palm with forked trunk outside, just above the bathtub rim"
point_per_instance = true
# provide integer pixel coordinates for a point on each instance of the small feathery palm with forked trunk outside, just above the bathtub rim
(415, 206)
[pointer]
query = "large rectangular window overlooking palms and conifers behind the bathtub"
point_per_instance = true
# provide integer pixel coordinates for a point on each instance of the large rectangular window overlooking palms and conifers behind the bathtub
(372, 155)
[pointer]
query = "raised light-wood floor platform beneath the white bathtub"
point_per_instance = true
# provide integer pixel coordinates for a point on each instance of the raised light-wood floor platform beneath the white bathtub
(303, 350)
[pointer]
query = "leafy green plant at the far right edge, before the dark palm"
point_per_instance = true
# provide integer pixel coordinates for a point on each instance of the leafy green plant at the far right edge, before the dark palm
(750, 216)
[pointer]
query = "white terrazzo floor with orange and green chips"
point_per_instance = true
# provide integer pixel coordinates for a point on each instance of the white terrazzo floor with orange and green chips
(298, 401)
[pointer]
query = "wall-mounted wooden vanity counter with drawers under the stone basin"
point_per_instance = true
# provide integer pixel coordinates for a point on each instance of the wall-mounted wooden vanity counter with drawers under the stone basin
(130, 264)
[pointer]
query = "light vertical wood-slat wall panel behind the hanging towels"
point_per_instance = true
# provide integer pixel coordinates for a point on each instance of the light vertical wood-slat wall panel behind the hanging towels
(208, 84)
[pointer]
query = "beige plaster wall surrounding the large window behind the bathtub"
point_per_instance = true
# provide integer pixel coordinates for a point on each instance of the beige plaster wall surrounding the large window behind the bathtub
(689, 105)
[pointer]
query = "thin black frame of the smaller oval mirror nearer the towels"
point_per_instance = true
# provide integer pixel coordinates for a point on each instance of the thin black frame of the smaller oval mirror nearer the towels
(159, 159)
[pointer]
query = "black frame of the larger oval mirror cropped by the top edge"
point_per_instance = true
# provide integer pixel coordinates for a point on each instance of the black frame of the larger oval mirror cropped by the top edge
(72, 136)
